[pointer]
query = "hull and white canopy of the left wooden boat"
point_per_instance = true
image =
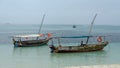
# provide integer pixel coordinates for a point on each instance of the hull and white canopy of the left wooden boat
(30, 40)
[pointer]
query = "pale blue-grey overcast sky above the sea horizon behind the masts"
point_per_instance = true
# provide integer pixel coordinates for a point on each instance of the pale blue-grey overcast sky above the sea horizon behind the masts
(60, 11)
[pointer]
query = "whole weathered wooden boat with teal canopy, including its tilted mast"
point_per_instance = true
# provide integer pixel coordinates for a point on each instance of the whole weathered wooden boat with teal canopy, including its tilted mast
(83, 47)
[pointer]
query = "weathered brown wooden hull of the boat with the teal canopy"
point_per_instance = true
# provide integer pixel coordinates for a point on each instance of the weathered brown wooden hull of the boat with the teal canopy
(81, 48)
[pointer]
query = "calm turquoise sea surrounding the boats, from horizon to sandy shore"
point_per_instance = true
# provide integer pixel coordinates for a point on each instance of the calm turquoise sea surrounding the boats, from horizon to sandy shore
(40, 57)
